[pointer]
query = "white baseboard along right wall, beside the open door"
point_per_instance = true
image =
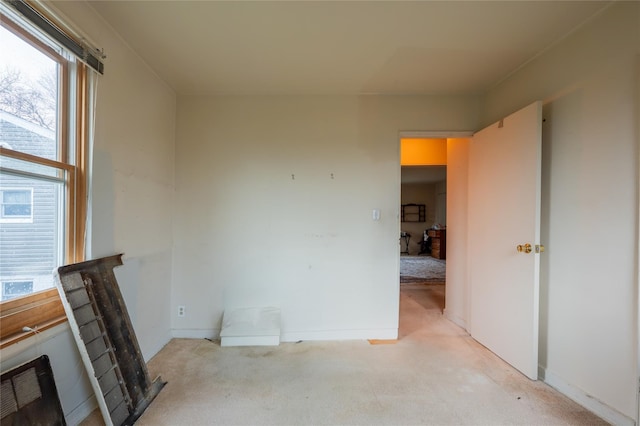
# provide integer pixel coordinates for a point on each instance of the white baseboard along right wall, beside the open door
(599, 408)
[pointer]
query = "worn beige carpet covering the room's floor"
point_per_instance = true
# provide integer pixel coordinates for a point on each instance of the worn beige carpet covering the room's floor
(434, 375)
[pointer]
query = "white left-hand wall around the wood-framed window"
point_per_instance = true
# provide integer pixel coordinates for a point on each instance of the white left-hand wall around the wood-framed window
(132, 201)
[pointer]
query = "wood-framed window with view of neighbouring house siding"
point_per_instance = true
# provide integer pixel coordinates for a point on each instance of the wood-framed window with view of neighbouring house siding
(44, 92)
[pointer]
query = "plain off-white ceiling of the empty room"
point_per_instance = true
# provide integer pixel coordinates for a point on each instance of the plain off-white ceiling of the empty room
(340, 47)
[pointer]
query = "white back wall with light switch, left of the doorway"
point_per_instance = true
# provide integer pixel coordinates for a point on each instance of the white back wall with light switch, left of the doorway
(247, 234)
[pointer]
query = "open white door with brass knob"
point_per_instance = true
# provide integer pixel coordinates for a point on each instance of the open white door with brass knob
(504, 212)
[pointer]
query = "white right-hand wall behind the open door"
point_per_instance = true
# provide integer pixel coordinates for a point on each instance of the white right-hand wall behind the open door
(589, 325)
